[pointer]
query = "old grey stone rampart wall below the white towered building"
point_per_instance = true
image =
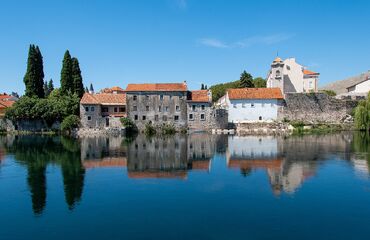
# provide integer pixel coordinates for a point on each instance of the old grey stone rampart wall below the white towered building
(315, 108)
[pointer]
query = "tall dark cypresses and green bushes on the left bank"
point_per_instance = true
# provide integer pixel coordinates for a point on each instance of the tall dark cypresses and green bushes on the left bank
(41, 101)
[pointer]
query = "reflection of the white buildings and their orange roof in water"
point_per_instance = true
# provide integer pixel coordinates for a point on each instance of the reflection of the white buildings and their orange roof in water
(285, 173)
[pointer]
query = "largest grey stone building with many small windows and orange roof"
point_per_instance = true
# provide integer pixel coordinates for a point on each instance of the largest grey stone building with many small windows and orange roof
(157, 104)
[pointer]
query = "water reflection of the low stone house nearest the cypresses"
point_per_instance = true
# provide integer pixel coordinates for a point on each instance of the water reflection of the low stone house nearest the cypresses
(103, 151)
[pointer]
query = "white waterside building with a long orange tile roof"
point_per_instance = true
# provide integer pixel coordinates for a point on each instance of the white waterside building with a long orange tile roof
(252, 104)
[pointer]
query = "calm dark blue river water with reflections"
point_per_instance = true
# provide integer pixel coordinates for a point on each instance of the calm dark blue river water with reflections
(185, 187)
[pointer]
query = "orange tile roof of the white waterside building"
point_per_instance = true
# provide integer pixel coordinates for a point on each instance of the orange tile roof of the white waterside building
(255, 93)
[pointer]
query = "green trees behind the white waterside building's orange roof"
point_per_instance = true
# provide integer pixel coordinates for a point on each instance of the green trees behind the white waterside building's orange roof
(246, 81)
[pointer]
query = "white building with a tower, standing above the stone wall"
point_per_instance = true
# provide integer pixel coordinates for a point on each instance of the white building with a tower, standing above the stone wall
(290, 77)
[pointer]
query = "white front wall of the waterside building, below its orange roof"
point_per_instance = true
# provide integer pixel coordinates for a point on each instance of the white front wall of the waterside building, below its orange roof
(242, 110)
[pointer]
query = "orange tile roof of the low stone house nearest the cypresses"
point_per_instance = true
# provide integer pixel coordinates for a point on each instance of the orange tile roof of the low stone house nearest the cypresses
(104, 99)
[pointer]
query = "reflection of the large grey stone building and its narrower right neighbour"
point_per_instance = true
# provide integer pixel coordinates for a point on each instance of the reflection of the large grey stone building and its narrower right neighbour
(170, 157)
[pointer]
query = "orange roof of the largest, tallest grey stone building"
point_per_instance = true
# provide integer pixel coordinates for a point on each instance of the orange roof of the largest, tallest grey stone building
(155, 87)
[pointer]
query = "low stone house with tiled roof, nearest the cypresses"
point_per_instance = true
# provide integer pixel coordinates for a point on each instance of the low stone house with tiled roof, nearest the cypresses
(102, 110)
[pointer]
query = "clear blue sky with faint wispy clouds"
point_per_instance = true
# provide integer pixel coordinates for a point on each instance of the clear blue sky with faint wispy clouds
(200, 41)
